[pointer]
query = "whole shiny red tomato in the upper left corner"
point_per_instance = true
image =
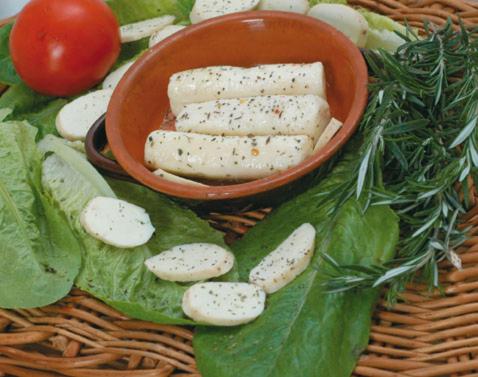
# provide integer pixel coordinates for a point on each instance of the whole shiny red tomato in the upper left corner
(63, 47)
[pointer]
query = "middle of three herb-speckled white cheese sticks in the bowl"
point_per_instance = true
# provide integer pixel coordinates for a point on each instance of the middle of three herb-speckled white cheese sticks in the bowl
(258, 116)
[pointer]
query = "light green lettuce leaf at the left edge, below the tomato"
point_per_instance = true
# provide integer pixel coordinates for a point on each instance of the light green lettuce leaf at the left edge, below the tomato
(39, 253)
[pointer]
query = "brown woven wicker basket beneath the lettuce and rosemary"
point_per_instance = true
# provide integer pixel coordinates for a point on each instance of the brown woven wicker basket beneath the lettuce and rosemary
(426, 334)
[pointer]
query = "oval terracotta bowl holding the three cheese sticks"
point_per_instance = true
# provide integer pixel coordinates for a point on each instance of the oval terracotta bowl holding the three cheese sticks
(140, 102)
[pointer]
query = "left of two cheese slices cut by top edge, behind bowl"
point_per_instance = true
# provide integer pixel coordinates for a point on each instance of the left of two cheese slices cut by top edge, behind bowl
(205, 9)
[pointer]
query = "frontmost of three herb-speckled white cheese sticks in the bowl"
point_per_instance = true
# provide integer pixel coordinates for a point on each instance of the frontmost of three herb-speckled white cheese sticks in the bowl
(229, 157)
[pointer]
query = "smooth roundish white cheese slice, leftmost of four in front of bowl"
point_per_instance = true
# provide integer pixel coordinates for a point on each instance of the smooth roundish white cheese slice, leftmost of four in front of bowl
(116, 222)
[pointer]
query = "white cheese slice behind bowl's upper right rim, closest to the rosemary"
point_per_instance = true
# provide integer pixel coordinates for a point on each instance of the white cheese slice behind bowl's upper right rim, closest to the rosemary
(343, 18)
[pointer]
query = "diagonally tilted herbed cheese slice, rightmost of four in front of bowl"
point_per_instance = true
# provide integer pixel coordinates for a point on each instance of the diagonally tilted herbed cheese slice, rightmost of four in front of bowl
(286, 262)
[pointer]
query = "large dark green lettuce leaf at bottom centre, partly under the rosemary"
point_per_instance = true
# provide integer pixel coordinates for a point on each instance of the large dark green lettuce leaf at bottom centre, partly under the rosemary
(305, 331)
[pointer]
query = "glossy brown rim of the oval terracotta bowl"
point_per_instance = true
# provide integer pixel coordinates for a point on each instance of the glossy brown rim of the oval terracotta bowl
(244, 189)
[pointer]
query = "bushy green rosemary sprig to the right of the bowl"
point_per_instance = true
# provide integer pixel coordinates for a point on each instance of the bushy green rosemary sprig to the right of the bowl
(420, 137)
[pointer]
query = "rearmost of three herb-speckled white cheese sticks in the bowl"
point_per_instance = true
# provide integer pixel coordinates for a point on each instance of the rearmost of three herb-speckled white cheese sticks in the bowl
(225, 82)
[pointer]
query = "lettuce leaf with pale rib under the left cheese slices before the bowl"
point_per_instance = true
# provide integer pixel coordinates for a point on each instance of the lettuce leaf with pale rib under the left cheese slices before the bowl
(118, 276)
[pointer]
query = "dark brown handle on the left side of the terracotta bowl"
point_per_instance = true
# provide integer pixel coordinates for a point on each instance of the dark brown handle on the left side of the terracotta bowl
(96, 141)
